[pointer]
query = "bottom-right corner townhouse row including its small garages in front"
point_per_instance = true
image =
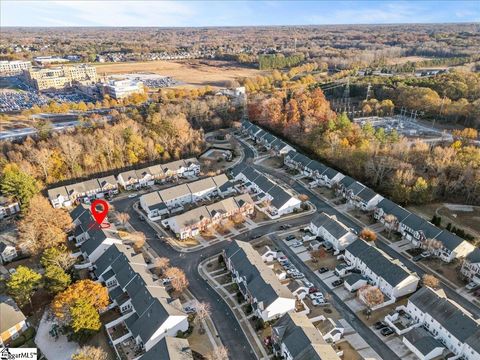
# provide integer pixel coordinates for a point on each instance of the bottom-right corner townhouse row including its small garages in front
(438, 327)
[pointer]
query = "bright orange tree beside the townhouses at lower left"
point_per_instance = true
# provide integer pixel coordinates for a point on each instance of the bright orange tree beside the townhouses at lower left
(84, 290)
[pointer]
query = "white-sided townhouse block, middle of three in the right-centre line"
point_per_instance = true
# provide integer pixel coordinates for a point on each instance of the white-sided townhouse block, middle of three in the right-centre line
(389, 275)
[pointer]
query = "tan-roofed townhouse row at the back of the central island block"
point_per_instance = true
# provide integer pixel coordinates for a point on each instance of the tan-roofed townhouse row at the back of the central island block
(172, 199)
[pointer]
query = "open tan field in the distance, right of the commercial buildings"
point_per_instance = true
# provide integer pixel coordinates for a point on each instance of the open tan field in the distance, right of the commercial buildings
(192, 73)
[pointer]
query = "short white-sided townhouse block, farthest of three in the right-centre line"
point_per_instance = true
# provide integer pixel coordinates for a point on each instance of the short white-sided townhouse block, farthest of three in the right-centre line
(332, 231)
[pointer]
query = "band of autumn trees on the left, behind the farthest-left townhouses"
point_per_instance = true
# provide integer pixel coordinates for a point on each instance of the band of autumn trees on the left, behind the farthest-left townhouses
(153, 132)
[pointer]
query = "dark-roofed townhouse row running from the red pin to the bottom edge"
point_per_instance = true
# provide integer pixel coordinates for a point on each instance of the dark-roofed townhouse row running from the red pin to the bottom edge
(145, 318)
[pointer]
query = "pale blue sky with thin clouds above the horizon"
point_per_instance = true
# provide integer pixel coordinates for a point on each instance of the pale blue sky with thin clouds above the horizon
(232, 13)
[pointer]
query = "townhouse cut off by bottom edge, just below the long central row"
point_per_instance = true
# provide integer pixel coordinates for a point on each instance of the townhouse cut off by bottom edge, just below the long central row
(296, 338)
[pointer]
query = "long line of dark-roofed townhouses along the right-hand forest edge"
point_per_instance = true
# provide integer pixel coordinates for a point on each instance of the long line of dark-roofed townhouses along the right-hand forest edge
(409, 225)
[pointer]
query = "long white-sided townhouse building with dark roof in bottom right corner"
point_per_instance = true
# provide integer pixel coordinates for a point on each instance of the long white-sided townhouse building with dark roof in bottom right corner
(446, 321)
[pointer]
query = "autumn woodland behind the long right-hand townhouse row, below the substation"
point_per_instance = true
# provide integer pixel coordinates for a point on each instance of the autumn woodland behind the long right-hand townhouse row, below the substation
(406, 172)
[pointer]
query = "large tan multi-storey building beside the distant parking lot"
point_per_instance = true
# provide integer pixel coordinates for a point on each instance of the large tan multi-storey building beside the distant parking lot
(61, 77)
